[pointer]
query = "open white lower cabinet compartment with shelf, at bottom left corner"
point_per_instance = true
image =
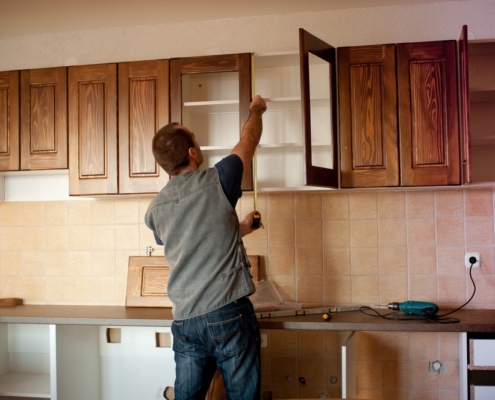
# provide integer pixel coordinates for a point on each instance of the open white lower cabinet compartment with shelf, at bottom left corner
(27, 361)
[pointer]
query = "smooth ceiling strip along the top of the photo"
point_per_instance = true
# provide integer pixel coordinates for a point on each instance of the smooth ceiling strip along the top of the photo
(30, 17)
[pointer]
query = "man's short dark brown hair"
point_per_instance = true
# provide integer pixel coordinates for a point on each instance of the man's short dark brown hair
(171, 146)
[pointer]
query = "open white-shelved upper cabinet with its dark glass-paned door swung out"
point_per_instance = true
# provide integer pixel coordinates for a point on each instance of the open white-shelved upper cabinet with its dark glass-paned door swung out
(298, 147)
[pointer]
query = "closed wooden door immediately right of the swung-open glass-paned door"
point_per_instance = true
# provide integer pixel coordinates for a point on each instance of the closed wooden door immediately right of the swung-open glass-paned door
(368, 116)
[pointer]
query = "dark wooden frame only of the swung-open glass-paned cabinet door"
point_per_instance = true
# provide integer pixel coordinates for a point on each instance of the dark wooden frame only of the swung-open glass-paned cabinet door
(315, 175)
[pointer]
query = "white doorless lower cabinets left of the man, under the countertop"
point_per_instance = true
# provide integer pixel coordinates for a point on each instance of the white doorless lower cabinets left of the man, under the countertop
(76, 362)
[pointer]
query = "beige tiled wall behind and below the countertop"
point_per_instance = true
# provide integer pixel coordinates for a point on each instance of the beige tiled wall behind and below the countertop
(319, 248)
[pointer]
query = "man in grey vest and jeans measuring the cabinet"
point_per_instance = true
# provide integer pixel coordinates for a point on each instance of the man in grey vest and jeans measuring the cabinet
(209, 282)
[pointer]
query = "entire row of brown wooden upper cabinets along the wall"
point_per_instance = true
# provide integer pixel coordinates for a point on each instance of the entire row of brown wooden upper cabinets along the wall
(364, 116)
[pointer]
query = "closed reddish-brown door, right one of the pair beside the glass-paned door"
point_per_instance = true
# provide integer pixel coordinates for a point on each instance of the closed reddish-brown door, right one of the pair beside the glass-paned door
(428, 109)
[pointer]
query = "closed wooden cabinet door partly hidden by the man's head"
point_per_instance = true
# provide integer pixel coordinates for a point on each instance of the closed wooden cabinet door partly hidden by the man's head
(143, 109)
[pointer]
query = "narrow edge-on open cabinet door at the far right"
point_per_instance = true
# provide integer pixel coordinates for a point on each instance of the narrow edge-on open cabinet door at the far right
(465, 107)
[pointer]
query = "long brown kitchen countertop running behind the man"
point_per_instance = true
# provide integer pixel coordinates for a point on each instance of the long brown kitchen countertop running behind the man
(470, 320)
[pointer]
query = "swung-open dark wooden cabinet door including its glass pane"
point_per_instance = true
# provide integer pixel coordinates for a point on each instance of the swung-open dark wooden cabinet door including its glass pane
(318, 99)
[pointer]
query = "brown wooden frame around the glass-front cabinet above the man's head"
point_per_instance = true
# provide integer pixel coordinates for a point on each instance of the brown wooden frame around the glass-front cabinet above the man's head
(241, 63)
